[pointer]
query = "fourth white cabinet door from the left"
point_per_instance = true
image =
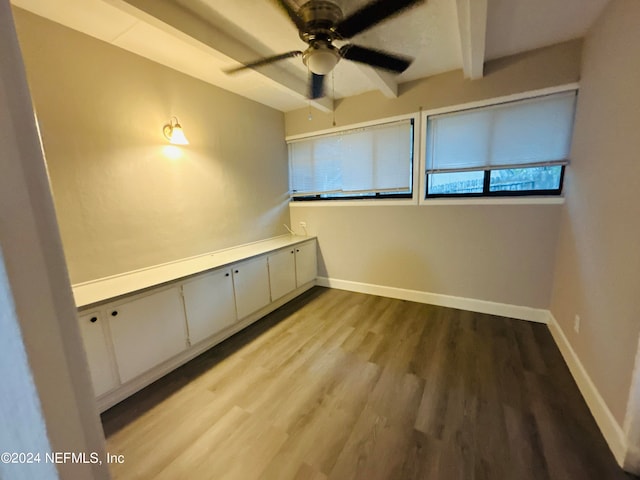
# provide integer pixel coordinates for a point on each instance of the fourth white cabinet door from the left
(251, 285)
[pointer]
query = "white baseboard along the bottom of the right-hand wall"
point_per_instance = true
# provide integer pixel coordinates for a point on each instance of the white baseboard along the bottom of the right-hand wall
(610, 428)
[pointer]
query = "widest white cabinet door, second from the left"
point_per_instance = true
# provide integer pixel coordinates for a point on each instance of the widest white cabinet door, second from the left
(147, 331)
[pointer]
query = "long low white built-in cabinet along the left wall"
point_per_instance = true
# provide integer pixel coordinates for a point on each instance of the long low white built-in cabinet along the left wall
(132, 341)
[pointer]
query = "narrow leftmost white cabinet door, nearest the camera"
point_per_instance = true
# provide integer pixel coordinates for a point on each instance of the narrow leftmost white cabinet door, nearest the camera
(99, 358)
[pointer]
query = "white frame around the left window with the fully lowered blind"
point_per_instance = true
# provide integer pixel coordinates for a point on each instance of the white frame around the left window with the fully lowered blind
(417, 164)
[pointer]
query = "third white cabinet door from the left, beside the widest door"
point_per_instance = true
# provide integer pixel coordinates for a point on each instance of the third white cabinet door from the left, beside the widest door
(209, 304)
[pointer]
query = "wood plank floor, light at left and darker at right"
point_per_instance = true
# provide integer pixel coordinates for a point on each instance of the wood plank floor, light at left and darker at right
(339, 385)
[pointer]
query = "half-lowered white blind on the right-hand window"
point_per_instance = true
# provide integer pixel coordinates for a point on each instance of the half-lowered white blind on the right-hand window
(532, 132)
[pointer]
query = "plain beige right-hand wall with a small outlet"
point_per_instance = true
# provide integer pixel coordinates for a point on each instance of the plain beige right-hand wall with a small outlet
(598, 255)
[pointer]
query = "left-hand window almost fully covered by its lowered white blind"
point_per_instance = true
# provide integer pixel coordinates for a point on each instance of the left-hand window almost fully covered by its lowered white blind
(363, 163)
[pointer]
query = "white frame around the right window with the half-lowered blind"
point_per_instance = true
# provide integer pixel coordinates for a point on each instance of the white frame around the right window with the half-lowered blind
(543, 199)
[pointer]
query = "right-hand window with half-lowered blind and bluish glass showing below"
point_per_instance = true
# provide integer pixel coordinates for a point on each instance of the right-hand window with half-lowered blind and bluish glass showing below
(515, 148)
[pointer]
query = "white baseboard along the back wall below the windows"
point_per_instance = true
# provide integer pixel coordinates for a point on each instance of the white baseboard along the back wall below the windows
(481, 306)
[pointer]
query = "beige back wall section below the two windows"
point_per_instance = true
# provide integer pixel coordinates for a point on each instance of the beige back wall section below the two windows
(497, 253)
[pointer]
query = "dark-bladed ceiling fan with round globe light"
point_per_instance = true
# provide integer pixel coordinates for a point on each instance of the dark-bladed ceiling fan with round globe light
(321, 22)
